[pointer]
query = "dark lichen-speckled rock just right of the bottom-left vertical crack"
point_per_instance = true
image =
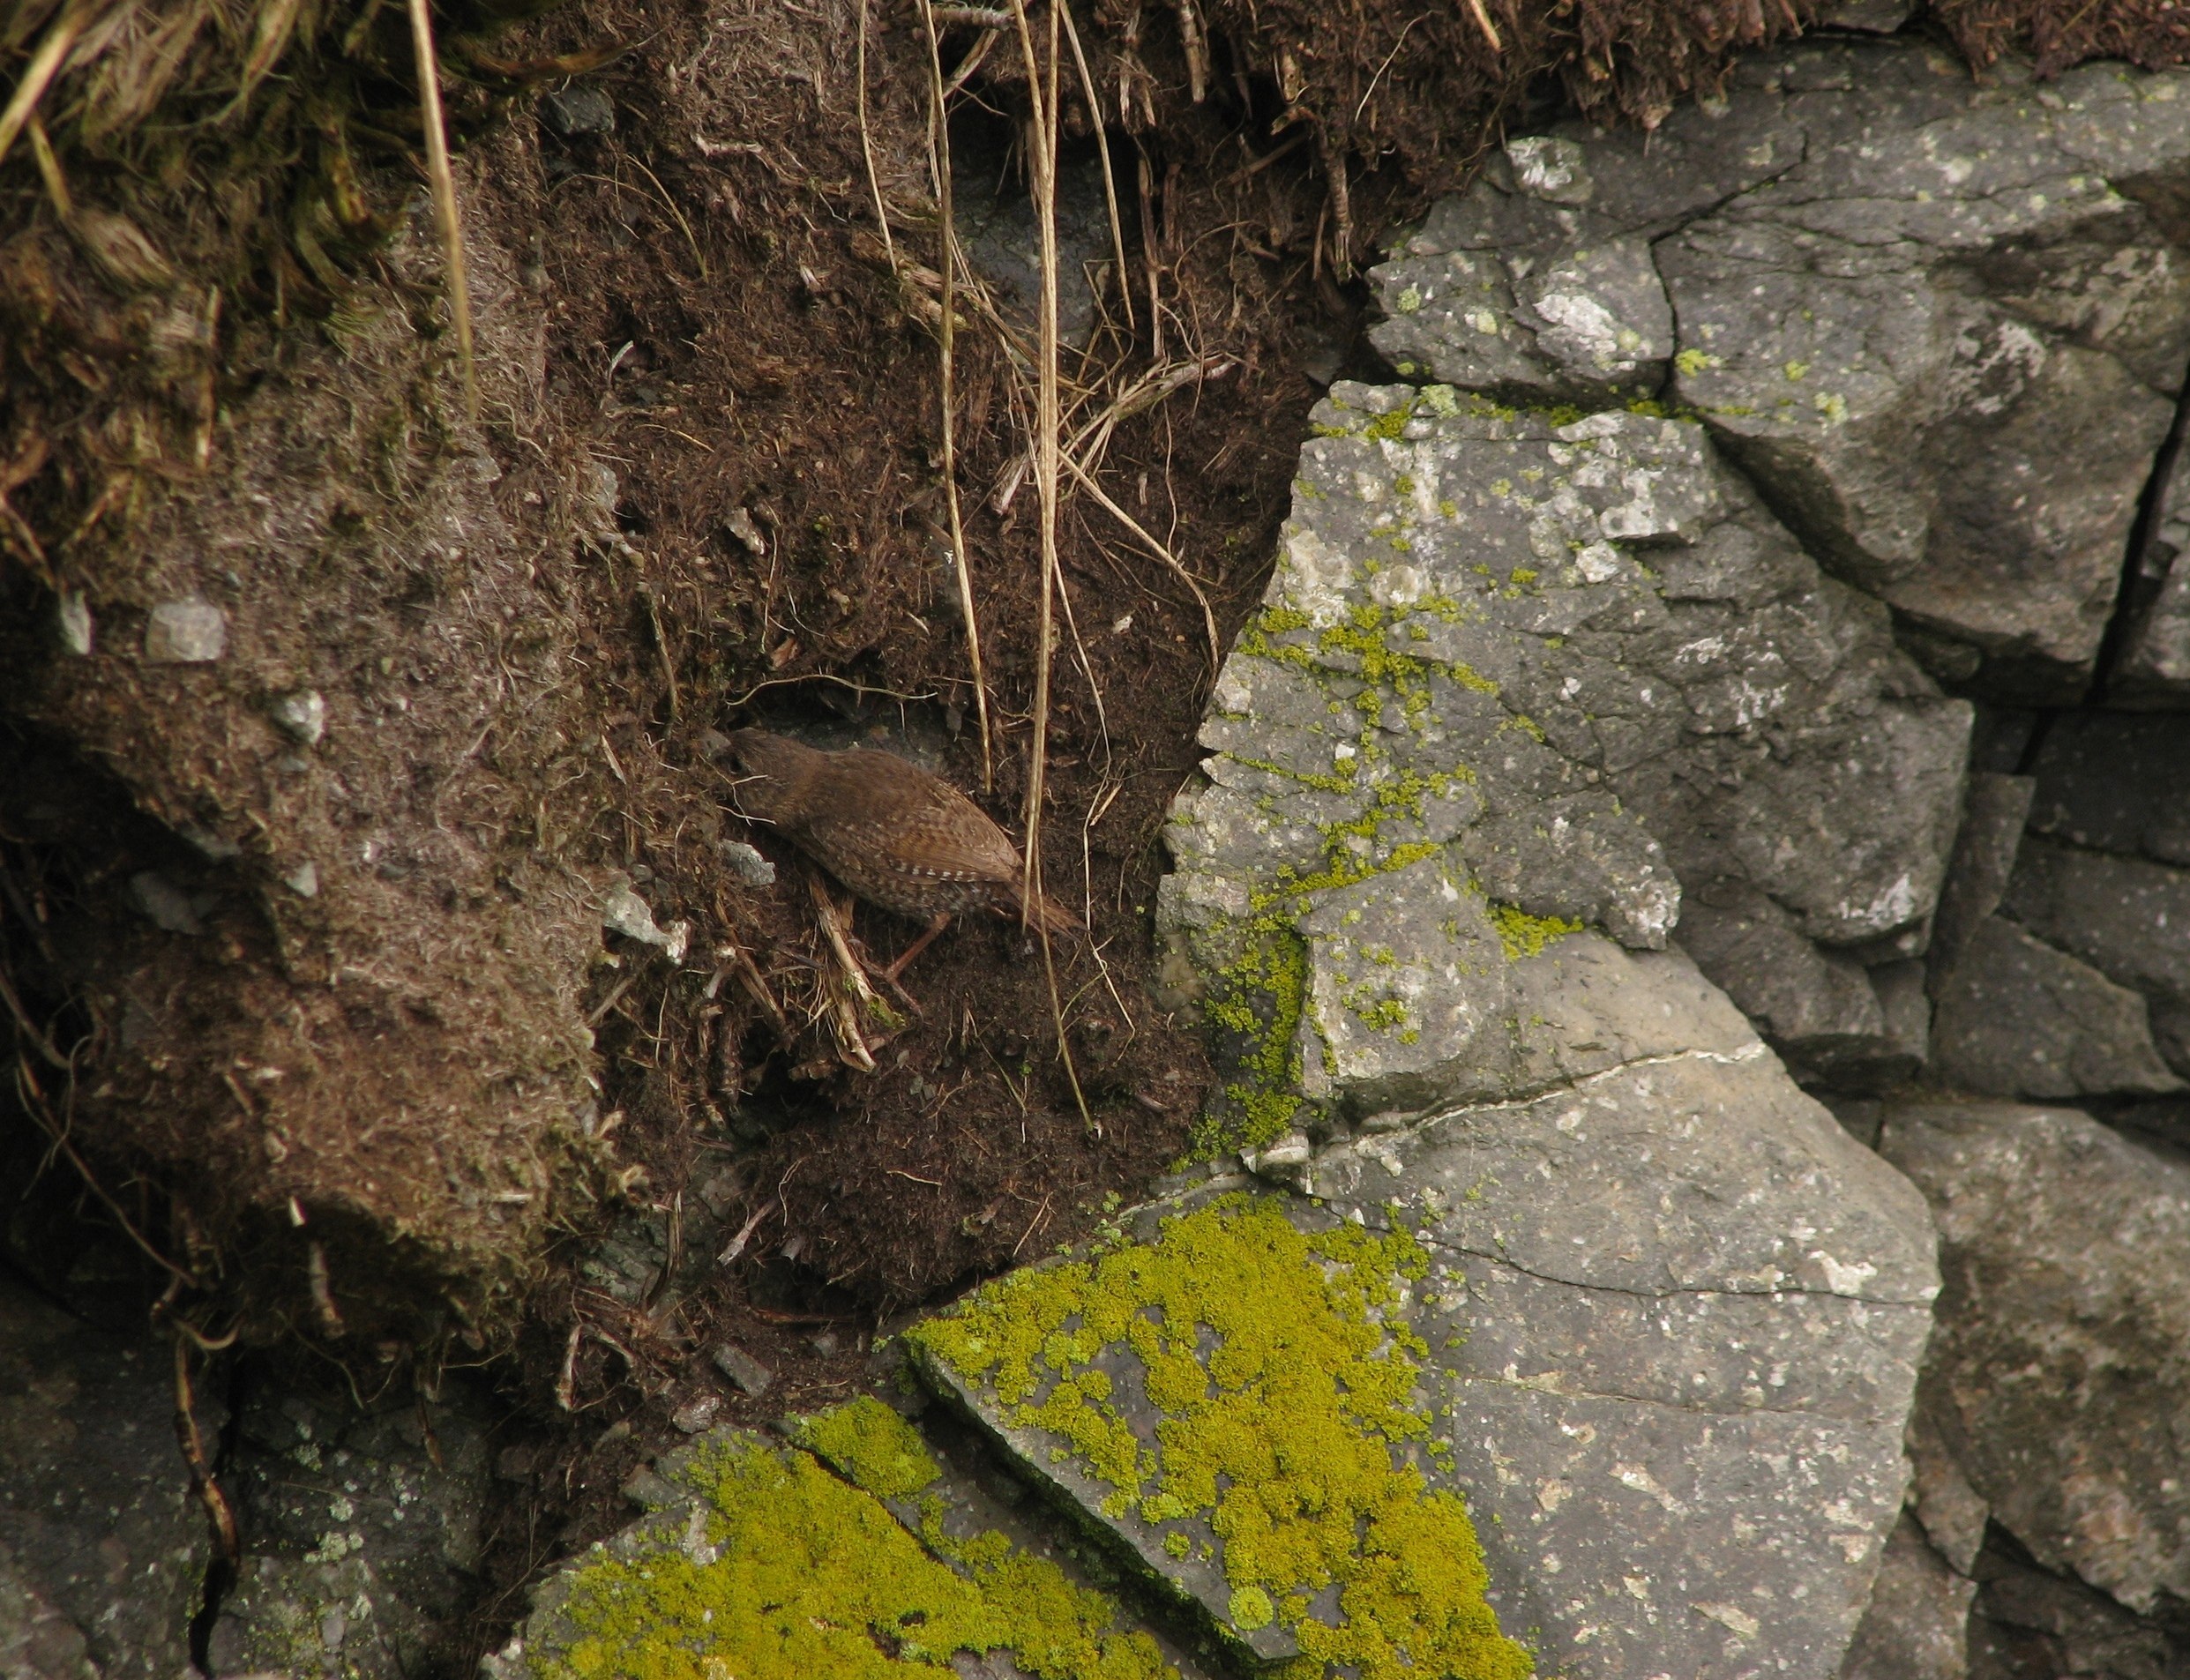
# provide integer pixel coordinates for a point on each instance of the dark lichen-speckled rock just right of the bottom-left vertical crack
(362, 1537)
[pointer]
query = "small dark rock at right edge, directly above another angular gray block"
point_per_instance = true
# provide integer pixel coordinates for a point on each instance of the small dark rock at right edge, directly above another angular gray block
(2125, 917)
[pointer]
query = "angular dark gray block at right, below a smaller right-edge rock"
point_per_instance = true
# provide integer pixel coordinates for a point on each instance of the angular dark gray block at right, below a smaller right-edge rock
(2020, 1020)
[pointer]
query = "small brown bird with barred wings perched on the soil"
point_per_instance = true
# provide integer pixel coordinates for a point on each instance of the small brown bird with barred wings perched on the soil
(886, 829)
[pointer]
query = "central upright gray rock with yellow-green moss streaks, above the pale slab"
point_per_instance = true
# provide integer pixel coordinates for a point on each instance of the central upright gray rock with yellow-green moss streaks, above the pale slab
(1519, 676)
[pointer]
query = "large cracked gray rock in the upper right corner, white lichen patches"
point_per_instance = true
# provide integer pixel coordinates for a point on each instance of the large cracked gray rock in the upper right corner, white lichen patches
(1889, 292)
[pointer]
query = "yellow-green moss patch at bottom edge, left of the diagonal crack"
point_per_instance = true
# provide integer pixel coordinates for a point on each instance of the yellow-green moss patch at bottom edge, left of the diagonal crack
(807, 1576)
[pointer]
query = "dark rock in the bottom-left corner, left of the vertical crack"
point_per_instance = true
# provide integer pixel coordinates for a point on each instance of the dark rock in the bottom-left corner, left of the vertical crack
(104, 1547)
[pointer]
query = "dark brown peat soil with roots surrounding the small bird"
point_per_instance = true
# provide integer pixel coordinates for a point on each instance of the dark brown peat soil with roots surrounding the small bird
(730, 341)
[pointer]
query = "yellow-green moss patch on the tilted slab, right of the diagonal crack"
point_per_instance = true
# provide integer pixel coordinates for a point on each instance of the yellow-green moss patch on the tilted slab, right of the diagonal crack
(1282, 1390)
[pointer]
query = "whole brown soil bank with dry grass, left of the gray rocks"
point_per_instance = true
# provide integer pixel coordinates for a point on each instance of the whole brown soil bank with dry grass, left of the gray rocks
(336, 709)
